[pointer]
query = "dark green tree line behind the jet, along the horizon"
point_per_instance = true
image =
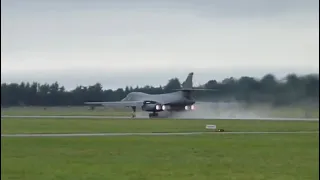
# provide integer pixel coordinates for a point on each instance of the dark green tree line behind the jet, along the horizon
(291, 89)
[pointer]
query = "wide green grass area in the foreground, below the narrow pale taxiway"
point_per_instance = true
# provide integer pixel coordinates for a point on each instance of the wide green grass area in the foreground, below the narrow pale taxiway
(218, 156)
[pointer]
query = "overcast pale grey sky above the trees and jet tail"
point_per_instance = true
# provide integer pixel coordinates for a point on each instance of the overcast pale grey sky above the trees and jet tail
(143, 42)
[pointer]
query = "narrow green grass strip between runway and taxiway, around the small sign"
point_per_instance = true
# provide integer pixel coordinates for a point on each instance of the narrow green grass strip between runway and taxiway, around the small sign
(10, 125)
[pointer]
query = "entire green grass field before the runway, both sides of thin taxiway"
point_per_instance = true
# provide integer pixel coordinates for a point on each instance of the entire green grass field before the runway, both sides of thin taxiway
(201, 157)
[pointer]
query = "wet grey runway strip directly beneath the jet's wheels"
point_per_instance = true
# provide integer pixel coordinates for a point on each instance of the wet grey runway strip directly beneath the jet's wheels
(125, 117)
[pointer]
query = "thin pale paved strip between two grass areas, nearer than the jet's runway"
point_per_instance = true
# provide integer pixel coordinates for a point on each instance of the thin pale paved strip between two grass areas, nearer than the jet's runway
(147, 134)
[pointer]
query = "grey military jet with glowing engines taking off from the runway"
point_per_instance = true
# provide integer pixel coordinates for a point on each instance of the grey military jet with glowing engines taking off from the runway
(178, 101)
